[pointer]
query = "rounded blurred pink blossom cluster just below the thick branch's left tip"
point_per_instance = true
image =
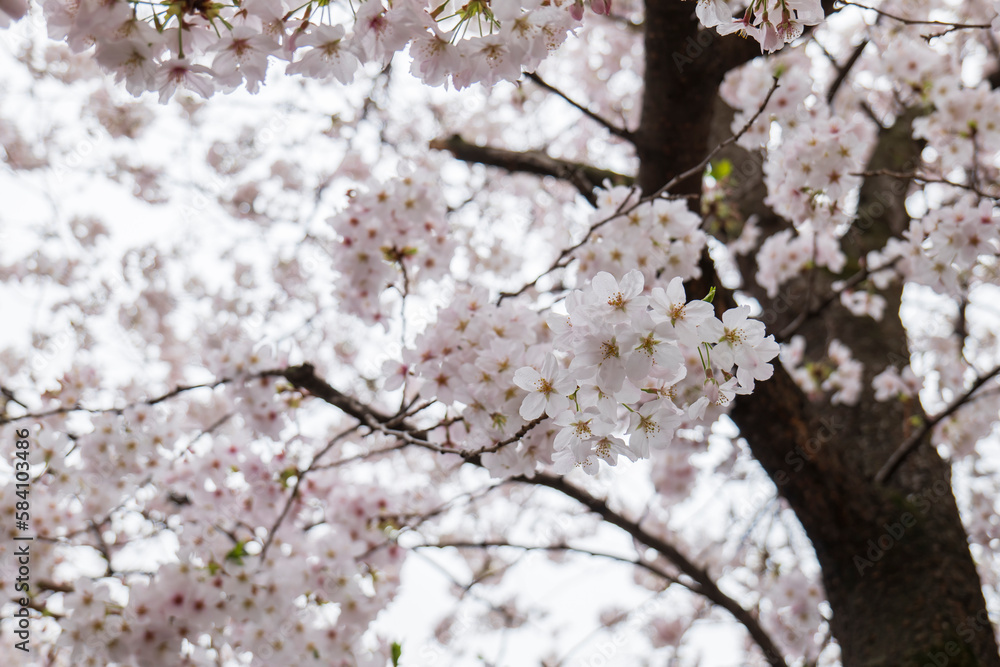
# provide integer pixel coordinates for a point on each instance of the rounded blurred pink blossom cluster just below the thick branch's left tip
(394, 233)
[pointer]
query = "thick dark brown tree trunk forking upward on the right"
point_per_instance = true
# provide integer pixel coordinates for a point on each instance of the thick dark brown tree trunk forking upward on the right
(895, 559)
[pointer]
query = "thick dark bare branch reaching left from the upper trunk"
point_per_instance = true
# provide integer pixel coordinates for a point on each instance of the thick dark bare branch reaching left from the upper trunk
(585, 178)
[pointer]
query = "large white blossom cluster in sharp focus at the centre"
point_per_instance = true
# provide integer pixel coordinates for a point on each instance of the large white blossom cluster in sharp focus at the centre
(607, 374)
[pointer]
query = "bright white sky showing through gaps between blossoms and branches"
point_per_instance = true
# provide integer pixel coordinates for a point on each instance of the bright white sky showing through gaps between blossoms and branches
(577, 592)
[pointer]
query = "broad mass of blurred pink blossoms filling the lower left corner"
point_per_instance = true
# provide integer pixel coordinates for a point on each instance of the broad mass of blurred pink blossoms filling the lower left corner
(326, 579)
